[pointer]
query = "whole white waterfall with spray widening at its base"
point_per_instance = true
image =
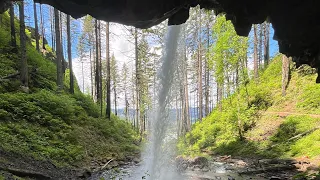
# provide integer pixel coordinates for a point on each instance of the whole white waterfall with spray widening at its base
(157, 158)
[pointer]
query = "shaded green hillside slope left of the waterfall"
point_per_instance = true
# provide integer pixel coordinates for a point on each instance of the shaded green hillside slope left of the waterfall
(45, 128)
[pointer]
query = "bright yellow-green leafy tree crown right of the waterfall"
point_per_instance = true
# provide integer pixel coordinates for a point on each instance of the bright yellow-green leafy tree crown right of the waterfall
(228, 52)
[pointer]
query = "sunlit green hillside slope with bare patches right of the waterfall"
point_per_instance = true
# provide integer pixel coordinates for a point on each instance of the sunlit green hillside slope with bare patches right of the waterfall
(272, 126)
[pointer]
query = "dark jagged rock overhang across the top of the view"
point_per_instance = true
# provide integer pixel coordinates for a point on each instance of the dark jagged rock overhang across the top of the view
(296, 22)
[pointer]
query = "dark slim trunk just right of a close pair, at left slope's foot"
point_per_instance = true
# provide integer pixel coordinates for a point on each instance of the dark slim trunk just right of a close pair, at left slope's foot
(108, 108)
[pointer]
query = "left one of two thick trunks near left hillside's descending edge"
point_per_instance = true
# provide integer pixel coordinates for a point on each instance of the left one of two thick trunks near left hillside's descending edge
(58, 51)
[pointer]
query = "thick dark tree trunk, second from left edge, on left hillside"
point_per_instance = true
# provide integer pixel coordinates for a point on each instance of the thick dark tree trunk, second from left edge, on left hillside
(24, 64)
